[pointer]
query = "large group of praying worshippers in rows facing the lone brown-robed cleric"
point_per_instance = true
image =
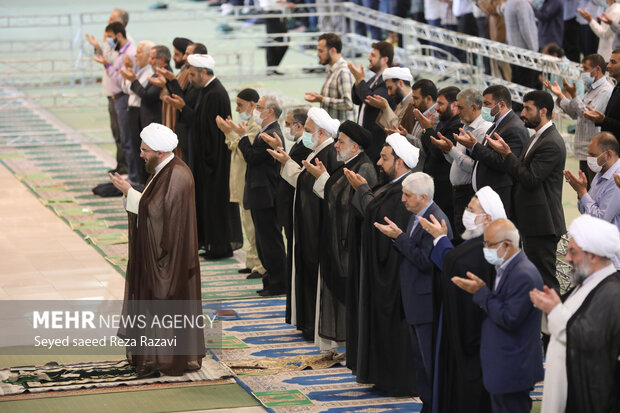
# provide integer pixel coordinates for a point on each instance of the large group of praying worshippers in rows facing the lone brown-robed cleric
(421, 224)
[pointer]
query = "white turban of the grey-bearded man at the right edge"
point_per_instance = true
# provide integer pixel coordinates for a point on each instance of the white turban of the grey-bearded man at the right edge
(595, 236)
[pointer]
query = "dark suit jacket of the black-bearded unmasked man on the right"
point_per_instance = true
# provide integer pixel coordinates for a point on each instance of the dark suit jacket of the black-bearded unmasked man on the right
(537, 191)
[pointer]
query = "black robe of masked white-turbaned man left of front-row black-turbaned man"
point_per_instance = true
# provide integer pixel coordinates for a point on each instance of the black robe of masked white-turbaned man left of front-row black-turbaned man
(307, 224)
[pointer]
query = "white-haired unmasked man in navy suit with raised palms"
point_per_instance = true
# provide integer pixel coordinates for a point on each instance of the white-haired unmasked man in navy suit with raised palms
(416, 274)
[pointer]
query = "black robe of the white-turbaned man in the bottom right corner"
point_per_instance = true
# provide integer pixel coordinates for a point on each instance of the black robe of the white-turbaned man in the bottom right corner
(592, 350)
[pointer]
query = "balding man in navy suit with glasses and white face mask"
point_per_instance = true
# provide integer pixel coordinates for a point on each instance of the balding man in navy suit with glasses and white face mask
(511, 346)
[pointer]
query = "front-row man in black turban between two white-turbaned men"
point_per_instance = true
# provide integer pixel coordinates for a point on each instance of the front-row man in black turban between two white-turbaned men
(339, 257)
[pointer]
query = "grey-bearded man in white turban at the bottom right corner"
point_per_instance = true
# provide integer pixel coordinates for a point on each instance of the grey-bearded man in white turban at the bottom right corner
(582, 358)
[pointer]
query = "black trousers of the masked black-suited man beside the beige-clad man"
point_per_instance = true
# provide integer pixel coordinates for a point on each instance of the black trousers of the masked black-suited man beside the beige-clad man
(270, 248)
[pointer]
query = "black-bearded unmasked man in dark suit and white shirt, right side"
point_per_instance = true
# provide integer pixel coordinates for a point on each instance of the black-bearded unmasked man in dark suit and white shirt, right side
(537, 191)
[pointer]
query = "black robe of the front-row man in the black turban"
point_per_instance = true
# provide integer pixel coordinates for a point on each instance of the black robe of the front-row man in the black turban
(335, 246)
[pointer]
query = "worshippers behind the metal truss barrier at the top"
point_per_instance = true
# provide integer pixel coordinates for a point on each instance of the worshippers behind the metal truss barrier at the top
(565, 29)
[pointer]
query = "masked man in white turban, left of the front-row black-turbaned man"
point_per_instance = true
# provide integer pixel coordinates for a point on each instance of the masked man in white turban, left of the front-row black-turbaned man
(319, 132)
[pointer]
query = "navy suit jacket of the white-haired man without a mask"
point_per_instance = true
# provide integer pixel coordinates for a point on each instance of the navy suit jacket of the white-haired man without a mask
(416, 269)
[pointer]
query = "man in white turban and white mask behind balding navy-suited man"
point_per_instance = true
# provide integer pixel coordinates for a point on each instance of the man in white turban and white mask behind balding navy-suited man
(458, 346)
